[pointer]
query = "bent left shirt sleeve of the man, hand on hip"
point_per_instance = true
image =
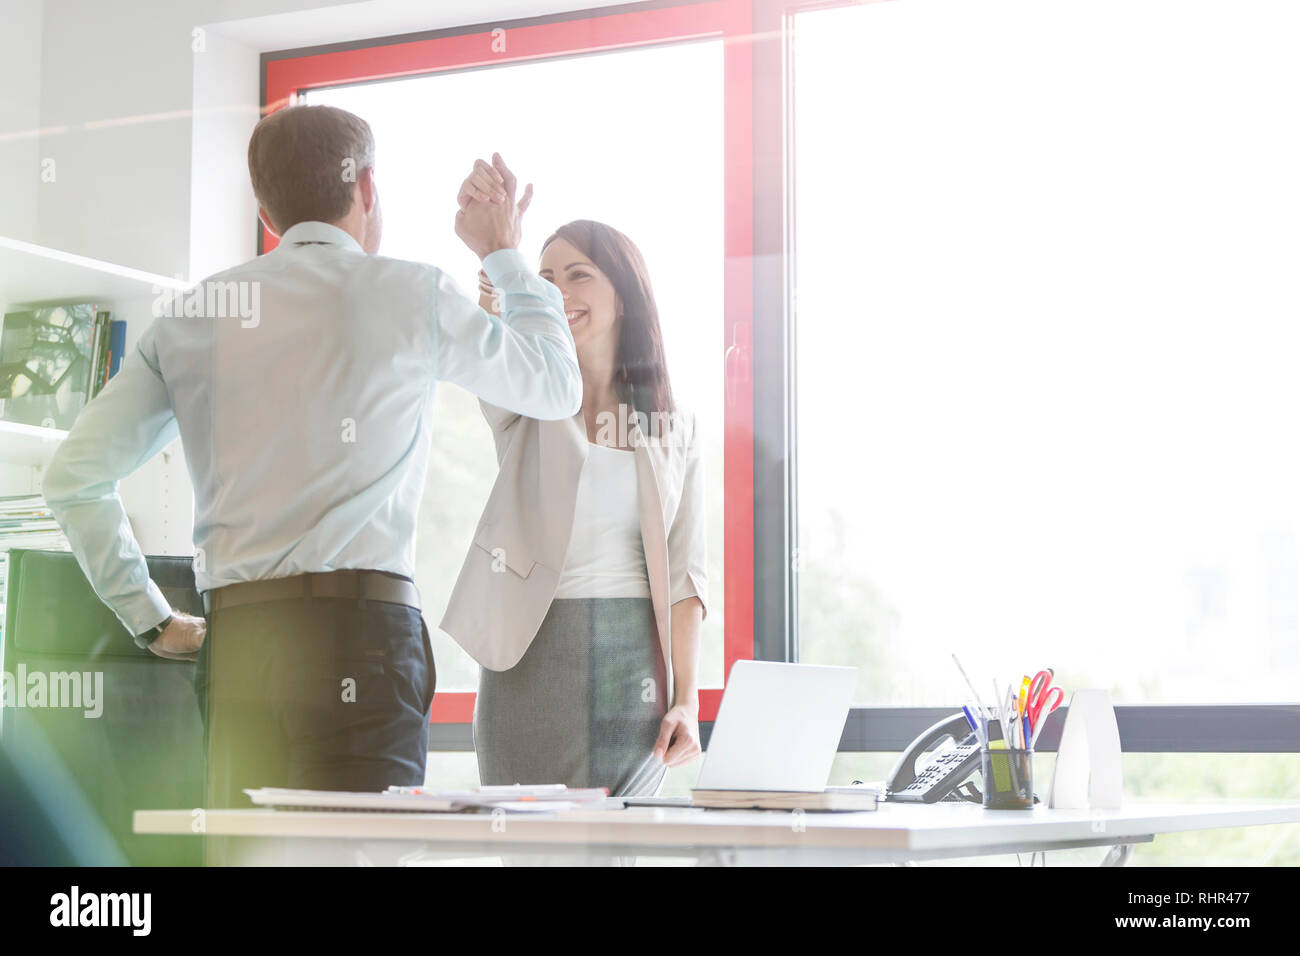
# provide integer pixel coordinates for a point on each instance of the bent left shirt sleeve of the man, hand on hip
(120, 430)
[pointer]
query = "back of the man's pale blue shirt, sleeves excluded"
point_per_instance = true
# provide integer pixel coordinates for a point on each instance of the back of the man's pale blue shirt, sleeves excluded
(306, 414)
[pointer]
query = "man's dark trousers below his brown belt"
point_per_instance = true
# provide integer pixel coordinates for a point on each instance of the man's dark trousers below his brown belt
(315, 695)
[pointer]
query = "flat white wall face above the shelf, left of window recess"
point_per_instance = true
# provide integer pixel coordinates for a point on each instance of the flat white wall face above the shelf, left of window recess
(118, 79)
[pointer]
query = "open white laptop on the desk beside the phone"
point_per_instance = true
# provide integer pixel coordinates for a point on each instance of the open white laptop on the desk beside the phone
(778, 730)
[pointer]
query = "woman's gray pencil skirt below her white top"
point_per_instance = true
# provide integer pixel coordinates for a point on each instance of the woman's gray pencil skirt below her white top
(583, 707)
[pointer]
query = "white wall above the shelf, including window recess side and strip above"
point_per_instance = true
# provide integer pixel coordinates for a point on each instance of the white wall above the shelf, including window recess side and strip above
(153, 135)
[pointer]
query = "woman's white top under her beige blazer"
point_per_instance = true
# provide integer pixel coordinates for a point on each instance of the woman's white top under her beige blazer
(606, 557)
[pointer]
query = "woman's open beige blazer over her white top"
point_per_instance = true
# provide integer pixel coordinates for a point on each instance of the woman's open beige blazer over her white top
(514, 566)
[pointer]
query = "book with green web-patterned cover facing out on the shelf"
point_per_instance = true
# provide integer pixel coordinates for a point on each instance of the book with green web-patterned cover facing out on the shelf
(53, 362)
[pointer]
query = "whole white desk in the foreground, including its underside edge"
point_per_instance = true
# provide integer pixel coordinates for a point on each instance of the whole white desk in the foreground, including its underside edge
(895, 834)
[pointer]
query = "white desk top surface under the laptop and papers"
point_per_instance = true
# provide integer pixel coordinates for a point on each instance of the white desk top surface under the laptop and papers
(926, 829)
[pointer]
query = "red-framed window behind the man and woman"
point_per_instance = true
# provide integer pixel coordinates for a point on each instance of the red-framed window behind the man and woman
(567, 102)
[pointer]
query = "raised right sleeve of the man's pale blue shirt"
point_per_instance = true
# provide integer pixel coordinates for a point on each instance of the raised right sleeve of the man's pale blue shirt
(525, 361)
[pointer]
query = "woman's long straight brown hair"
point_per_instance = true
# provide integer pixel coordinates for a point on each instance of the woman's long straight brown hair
(640, 374)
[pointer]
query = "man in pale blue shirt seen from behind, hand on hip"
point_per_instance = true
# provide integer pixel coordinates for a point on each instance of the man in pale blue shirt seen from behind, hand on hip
(306, 418)
